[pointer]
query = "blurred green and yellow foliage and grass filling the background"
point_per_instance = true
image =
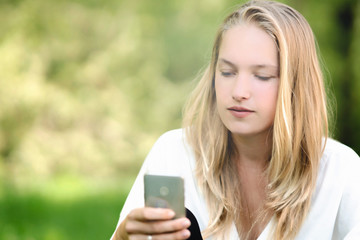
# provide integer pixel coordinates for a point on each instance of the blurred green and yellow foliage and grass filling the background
(87, 86)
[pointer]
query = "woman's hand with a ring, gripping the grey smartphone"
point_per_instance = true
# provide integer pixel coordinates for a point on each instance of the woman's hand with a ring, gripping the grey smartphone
(157, 222)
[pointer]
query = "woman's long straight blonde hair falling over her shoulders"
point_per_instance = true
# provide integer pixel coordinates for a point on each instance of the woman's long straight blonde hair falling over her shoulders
(299, 127)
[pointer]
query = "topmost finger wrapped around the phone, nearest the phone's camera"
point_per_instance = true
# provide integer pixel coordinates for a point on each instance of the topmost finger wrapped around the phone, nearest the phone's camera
(149, 214)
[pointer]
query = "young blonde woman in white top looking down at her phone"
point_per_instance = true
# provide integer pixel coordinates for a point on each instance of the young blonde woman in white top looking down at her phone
(254, 150)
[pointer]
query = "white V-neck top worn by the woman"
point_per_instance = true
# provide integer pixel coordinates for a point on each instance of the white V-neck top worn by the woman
(335, 207)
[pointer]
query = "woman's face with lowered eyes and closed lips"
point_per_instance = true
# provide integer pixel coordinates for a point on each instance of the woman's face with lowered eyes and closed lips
(247, 80)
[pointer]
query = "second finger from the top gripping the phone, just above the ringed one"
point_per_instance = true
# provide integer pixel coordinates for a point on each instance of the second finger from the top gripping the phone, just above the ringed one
(157, 227)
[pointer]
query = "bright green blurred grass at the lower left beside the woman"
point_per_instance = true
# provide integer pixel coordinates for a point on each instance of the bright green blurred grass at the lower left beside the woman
(50, 212)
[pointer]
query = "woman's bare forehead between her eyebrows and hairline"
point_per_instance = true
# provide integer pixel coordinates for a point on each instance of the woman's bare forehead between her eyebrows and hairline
(248, 44)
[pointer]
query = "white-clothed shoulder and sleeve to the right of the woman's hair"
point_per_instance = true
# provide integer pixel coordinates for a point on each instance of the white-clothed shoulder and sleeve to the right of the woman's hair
(336, 198)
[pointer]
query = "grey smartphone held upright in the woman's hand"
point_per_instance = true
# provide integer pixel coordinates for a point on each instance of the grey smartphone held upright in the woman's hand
(165, 192)
